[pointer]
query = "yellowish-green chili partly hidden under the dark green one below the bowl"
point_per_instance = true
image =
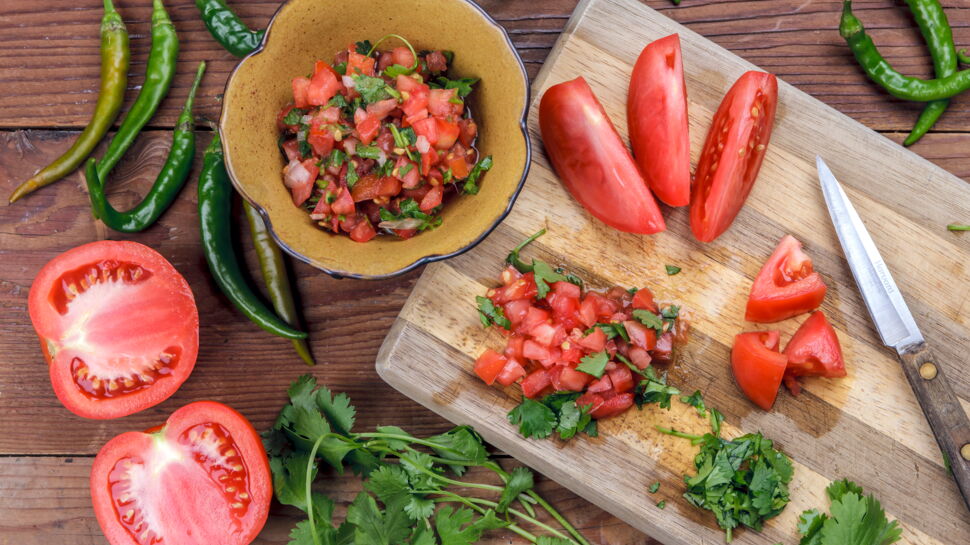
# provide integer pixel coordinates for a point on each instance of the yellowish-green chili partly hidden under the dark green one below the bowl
(277, 280)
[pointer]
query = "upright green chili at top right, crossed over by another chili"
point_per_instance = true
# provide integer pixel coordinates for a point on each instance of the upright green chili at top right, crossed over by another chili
(935, 27)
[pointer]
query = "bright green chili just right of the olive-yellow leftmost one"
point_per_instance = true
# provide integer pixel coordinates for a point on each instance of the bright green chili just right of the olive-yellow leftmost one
(158, 79)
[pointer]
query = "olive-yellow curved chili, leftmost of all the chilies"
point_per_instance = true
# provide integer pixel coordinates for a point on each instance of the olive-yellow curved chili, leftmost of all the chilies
(114, 80)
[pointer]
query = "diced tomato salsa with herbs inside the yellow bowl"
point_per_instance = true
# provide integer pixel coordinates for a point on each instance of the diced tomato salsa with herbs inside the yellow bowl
(378, 139)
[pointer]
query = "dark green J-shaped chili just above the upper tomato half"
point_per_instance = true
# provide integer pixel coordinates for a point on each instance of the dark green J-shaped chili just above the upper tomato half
(167, 185)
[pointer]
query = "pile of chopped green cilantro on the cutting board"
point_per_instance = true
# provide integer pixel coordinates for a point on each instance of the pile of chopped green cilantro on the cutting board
(743, 481)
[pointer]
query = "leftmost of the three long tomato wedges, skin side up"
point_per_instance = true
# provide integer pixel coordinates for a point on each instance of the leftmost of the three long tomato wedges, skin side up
(590, 158)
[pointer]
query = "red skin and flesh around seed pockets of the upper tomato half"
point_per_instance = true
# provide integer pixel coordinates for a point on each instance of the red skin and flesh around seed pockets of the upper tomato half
(163, 298)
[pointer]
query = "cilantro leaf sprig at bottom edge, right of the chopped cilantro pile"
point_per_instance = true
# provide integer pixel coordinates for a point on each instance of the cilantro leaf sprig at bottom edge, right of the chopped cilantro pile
(854, 518)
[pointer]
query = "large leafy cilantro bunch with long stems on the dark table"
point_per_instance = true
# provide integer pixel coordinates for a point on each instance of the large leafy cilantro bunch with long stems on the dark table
(408, 495)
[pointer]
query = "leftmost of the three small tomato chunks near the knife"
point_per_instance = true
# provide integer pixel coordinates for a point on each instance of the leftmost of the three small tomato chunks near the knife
(758, 366)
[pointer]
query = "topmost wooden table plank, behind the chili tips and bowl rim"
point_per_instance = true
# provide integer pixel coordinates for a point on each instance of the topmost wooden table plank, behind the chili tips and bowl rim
(50, 55)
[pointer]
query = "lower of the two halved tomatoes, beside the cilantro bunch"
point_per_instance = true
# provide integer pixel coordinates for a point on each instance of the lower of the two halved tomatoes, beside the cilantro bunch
(202, 477)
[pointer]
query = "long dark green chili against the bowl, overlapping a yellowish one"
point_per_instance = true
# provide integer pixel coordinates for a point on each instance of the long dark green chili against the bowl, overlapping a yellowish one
(215, 207)
